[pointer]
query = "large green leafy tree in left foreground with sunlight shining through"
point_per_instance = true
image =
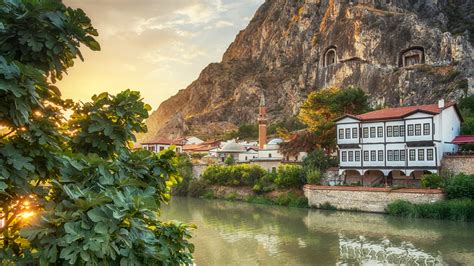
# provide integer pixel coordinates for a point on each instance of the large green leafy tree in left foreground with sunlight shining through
(74, 192)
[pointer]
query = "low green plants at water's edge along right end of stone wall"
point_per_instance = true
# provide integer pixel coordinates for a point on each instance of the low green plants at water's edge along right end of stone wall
(456, 210)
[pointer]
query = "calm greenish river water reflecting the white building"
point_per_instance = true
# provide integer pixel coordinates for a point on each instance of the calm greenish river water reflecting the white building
(233, 233)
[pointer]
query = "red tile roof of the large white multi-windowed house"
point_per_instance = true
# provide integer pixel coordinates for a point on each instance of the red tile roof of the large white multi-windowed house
(399, 112)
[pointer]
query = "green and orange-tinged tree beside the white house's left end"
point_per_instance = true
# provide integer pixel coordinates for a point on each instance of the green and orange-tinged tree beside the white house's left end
(318, 113)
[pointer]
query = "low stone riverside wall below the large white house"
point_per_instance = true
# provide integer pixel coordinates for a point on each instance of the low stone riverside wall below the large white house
(367, 199)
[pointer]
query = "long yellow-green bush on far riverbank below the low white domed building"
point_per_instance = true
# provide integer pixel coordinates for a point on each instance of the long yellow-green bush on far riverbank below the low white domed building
(233, 175)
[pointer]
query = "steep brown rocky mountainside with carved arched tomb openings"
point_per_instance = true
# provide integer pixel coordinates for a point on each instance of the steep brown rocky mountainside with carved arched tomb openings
(292, 47)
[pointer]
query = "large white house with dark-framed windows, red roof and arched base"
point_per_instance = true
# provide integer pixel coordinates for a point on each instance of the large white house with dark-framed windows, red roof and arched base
(396, 144)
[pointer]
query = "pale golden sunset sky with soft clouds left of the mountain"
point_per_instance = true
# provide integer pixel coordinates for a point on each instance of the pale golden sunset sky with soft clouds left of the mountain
(154, 46)
